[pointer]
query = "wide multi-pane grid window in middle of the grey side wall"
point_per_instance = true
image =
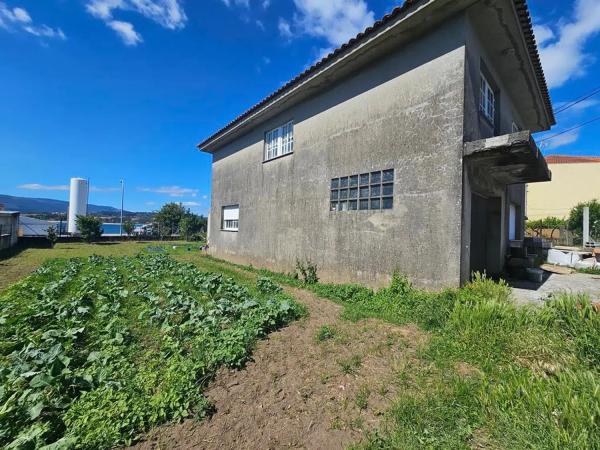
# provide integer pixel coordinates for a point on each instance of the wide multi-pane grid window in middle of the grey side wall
(365, 191)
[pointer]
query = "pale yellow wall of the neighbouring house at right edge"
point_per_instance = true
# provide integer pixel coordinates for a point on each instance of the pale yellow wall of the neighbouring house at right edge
(574, 181)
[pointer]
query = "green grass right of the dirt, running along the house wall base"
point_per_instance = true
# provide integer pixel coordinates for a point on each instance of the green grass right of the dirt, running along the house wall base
(492, 374)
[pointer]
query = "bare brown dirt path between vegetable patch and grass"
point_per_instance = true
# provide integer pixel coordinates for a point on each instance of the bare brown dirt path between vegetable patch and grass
(300, 392)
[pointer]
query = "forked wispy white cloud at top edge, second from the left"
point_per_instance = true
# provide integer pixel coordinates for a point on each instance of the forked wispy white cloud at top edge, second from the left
(167, 13)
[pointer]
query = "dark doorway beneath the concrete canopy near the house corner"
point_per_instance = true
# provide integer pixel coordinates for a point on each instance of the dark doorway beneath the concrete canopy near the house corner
(486, 234)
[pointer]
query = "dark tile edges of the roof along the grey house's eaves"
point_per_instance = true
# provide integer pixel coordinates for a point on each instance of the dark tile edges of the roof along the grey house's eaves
(524, 19)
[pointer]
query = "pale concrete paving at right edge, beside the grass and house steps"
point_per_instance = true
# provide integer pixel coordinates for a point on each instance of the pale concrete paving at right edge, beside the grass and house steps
(526, 292)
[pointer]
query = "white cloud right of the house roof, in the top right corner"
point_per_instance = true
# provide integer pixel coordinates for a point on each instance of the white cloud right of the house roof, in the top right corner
(563, 52)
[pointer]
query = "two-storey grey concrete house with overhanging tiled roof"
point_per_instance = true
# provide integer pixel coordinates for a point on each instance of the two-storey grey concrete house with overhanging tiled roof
(406, 149)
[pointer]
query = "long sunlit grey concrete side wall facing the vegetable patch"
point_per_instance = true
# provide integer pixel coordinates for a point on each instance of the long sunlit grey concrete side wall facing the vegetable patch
(405, 113)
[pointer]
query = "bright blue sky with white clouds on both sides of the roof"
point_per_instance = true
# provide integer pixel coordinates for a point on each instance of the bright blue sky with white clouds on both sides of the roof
(124, 89)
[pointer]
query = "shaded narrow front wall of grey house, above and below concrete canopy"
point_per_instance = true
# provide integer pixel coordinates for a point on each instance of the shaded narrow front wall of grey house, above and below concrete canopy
(478, 59)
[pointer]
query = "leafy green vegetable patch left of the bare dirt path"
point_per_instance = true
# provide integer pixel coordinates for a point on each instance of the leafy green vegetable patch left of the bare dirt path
(95, 351)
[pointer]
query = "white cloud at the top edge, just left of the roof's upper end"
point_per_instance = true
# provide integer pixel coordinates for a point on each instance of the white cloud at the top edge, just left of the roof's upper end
(336, 21)
